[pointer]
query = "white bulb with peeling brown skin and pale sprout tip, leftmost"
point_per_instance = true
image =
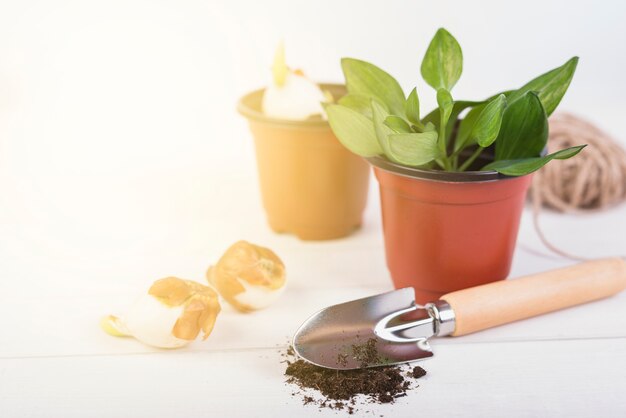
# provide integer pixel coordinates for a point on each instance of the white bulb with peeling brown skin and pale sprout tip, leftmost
(170, 315)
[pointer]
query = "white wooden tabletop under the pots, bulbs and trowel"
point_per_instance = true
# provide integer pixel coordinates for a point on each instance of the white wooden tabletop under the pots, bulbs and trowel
(56, 362)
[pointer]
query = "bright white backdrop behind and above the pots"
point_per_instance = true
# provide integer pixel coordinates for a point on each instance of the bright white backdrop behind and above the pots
(117, 118)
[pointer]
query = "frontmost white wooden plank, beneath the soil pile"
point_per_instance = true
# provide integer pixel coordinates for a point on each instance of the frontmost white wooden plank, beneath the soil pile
(551, 378)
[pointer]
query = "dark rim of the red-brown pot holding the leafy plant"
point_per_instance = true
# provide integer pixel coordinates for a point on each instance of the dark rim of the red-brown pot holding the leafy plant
(437, 175)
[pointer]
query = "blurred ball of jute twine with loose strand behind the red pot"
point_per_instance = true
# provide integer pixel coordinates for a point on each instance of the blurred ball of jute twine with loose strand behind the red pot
(592, 181)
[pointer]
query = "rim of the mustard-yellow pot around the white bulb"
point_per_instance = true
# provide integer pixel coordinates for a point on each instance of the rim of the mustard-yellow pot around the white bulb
(250, 107)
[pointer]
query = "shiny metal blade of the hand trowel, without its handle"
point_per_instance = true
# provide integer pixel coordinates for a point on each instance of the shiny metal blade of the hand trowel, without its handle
(328, 337)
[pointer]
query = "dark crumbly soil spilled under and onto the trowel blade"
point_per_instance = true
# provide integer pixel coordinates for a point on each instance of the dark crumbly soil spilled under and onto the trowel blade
(340, 388)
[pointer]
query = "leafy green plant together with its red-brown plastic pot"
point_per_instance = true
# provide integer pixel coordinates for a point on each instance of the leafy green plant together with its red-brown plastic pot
(452, 187)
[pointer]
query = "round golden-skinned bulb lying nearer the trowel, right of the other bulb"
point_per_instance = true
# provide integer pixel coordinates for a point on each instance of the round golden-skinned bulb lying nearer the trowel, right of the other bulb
(248, 276)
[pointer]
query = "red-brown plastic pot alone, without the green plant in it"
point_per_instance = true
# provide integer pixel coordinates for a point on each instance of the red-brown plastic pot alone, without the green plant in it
(447, 231)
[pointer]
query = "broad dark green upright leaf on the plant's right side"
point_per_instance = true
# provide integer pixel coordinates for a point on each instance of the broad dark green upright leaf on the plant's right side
(524, 129)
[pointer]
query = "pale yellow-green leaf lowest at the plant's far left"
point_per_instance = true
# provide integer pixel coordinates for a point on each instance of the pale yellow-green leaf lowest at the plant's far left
(353, 130)
